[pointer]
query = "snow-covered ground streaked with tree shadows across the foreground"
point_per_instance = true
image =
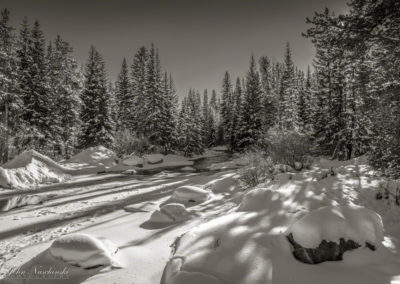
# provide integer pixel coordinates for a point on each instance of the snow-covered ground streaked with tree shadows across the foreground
(226, 236)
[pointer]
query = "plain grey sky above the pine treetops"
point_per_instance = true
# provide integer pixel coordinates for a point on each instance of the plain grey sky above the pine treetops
(198, 40)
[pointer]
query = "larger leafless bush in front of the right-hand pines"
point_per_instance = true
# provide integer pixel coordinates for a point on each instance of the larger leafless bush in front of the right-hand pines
(288, 148)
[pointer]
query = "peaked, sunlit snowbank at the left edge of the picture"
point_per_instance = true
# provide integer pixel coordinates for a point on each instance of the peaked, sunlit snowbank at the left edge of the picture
(31, 168)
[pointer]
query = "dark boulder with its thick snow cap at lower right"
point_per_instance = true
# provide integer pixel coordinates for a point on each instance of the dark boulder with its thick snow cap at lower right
(326, 233)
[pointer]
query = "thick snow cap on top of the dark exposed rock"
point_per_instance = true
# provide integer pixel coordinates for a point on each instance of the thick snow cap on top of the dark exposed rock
(331, 223)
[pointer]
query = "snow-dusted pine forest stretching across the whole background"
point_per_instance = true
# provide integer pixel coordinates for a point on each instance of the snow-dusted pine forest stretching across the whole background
(348, 104)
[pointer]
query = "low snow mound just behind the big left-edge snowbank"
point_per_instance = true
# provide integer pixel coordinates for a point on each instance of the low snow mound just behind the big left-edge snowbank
(95, 156)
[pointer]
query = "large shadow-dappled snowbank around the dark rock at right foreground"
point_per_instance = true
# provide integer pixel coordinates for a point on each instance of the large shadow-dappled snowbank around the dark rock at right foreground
(250, 245)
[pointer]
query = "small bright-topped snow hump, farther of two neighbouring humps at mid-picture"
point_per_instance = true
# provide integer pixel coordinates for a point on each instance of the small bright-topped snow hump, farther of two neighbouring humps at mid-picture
(190, 195)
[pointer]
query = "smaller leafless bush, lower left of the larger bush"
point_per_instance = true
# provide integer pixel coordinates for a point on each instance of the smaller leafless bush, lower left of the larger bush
(257, 170)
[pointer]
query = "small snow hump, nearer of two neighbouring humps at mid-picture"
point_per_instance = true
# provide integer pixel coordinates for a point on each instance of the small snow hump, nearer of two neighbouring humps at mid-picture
(170, 213)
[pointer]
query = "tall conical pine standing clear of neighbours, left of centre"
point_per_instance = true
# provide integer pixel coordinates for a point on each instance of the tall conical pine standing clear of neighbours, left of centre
(97, 124)
